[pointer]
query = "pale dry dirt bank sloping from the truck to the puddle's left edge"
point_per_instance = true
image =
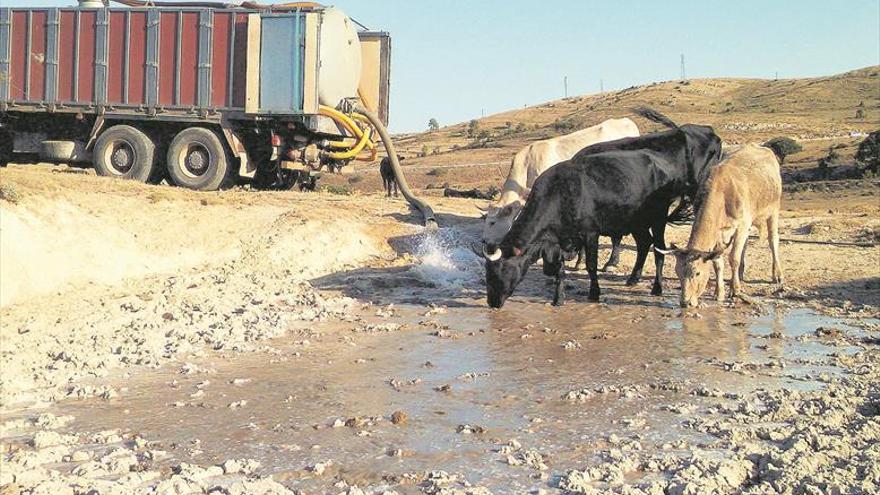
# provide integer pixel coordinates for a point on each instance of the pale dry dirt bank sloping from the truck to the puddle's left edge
(90, 265)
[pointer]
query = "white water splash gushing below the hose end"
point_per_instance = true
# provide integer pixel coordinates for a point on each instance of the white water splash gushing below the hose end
(445, 259)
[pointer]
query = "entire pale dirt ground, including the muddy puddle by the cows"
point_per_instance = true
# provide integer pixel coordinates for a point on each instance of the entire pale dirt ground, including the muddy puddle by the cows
(157, 340)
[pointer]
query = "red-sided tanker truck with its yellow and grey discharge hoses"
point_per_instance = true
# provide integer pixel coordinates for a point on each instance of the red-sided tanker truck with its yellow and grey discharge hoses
(200, 94)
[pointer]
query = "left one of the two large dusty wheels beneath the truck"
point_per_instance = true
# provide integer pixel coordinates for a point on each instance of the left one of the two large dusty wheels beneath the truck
(125, 152)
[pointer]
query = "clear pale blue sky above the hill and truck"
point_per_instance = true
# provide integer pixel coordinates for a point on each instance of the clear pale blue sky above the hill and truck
(455, 59)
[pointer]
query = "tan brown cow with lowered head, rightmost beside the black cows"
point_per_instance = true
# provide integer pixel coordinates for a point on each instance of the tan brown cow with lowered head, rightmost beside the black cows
(744, 190)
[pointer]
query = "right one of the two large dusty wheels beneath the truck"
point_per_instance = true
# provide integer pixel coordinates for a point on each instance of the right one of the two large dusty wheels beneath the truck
(197, 160)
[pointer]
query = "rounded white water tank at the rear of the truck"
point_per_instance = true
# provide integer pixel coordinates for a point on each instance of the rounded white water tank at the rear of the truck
(339, 75)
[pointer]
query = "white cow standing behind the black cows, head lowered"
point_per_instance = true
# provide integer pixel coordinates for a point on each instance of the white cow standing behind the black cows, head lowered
(533, 160)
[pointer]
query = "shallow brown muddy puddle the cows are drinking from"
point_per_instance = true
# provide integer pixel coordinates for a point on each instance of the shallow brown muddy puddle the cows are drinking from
(468, 379)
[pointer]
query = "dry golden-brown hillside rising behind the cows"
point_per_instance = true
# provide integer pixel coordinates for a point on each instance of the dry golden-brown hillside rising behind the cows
(817, 111)
